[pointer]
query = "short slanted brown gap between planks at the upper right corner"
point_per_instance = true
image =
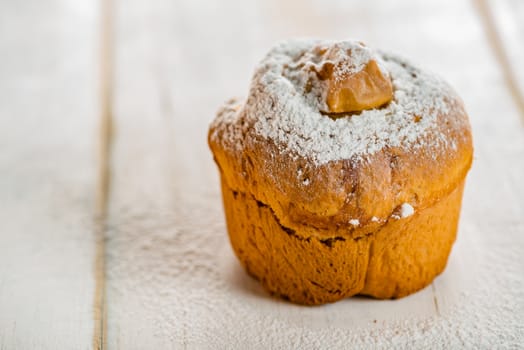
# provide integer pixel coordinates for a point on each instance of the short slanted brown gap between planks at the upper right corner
(495, 42)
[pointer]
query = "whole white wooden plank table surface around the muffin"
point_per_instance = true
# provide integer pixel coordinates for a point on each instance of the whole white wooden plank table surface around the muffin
(111, 226)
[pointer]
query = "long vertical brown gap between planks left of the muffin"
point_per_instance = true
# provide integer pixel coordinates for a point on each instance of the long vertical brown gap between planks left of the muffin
(104, 174)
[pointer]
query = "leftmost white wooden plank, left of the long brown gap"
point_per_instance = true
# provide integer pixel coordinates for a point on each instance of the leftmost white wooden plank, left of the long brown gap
(48, 141)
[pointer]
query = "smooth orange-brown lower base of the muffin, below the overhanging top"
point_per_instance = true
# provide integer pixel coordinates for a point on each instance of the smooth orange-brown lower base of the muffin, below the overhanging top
(401, 257)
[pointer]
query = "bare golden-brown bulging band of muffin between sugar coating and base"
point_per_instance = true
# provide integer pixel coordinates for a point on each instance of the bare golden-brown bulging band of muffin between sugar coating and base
(340, 191)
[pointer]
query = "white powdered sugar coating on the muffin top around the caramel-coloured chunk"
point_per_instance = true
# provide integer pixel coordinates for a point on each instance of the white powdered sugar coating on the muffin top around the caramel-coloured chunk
(285, 105)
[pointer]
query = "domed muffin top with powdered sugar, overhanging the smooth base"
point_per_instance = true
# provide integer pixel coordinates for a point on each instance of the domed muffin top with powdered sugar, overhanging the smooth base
(286, 146)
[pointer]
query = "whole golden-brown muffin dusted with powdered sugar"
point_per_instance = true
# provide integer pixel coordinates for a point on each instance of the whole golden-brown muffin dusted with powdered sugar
(342, 172)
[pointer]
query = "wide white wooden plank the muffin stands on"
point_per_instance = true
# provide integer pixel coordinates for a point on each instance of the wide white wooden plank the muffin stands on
(172, 279)
